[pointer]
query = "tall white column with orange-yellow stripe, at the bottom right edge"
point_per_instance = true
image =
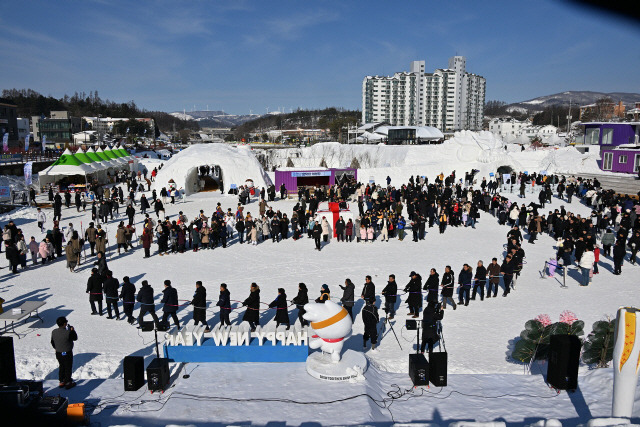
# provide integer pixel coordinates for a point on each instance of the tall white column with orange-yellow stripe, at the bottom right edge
(626, 361)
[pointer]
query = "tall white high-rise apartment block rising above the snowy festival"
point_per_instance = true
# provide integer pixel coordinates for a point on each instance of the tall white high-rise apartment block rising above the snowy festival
(448, 99)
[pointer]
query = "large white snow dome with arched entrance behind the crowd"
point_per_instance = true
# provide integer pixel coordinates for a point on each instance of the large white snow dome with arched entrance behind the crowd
(237, 164)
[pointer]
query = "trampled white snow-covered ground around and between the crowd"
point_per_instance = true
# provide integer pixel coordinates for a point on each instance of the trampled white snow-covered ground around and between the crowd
(485, 385)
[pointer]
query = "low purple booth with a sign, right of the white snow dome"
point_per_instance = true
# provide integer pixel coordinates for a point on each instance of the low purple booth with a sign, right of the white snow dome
(292, 178)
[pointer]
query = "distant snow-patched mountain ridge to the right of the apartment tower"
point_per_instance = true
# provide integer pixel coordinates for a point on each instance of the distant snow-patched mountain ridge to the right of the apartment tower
(577, 98)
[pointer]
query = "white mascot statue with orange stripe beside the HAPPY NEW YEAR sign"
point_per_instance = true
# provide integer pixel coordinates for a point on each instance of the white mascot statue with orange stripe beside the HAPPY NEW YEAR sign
(331, 325)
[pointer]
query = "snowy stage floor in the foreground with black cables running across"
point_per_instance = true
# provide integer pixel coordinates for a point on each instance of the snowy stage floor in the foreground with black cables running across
(264, 394)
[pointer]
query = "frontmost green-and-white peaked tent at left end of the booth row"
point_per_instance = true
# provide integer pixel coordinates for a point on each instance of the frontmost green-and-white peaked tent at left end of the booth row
(69, 169)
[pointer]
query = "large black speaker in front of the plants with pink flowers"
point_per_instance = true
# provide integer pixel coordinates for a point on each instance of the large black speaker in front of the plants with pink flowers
(564, 359)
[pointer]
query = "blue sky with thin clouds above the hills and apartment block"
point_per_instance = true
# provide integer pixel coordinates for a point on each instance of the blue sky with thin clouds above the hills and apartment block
(253, 55)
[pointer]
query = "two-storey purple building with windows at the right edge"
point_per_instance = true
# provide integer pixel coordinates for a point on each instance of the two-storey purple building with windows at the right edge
(619, 145)
